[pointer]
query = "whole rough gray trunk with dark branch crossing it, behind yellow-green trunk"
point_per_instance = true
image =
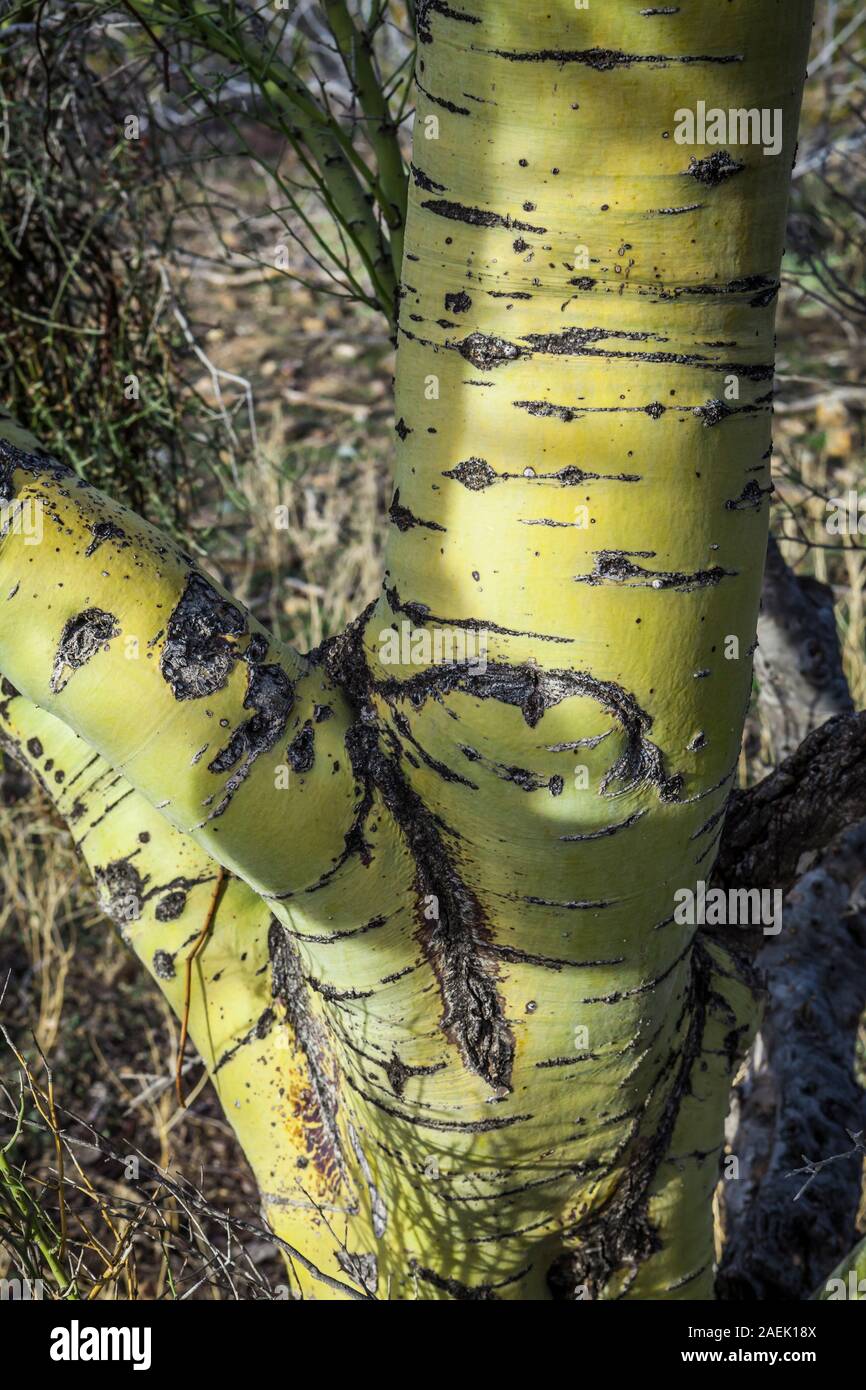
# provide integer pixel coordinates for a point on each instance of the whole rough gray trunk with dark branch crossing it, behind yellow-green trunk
(799, 1096)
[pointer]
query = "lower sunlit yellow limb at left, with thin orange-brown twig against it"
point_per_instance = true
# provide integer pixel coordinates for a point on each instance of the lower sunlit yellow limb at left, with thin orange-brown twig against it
(162, 890)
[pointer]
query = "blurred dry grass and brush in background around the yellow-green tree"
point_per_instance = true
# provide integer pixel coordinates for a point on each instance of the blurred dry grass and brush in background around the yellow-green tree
(180, 323)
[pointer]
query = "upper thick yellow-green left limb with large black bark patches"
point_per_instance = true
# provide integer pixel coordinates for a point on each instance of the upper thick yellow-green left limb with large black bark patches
(108, 625)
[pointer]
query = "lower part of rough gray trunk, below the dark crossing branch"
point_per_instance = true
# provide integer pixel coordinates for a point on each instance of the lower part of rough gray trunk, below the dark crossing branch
(799, 1096)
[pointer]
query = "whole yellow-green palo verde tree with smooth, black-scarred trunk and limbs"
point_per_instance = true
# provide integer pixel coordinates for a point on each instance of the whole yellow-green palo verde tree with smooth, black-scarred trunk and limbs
(415, 893)
